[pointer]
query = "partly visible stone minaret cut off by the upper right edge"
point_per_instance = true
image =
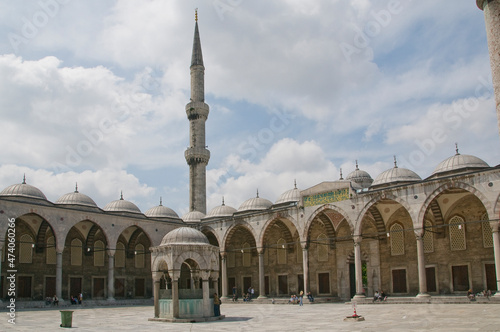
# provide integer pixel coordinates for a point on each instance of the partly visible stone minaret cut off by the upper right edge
(491, 10)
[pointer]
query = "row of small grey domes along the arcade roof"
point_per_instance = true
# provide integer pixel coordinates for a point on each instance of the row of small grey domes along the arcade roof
(359, 180)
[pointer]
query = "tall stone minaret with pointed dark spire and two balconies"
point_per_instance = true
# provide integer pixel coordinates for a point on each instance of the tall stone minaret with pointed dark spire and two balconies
(197, 155)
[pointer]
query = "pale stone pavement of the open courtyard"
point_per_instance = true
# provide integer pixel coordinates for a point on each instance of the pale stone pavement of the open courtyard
(269, 317)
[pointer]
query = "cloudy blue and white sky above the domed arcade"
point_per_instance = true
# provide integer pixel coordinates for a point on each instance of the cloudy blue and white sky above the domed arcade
(94, 92)
